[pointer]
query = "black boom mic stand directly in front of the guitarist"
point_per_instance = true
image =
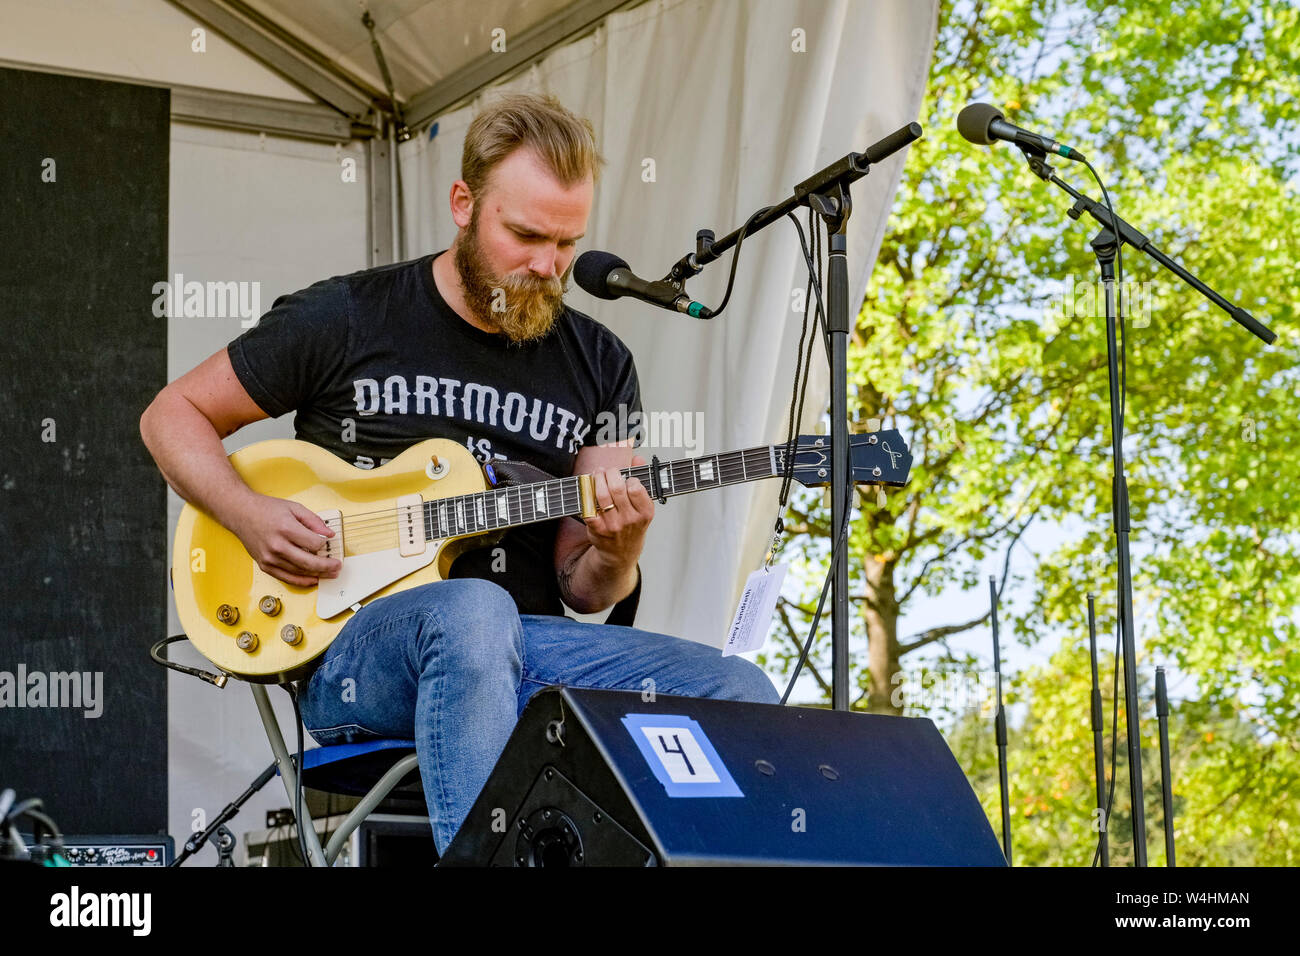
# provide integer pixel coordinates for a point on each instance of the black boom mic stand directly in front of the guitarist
(827, 194)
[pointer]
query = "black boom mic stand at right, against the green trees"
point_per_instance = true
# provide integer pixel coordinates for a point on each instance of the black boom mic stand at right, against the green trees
(1104, 246)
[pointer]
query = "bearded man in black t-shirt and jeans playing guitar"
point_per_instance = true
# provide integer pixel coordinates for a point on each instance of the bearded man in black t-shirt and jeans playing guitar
(476, 345)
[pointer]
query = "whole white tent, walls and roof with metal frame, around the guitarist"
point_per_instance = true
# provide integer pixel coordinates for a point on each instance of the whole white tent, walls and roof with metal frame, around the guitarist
(705, 111)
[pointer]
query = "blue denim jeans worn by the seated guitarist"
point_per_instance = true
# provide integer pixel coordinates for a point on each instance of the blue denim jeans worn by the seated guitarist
(453, 664)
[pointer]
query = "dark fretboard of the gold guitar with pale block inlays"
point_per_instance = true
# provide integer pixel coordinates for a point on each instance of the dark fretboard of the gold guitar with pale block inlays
(543, 501)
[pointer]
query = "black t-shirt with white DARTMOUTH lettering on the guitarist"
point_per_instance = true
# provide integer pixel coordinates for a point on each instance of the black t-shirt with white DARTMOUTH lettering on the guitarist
(378, 361)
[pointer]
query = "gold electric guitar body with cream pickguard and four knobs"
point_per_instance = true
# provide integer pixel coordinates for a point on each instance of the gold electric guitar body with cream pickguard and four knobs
(213, 569)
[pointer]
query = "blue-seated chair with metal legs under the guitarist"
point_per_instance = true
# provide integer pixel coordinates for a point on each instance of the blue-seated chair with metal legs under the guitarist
(370, 769)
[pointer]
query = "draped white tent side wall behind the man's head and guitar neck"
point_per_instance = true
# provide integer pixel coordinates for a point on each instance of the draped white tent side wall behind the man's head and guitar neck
(733, 116)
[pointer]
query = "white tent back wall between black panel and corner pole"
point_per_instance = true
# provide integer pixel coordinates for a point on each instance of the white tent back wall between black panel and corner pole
(278, 214)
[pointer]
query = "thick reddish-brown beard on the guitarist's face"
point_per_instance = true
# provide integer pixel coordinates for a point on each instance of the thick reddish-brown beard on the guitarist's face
(522, 308)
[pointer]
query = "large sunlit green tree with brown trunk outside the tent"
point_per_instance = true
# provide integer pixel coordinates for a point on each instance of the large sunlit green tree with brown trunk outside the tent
(981, 339)
